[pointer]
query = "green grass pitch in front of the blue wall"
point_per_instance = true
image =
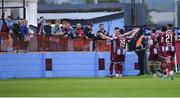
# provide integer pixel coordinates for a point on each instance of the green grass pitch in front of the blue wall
(137, 86)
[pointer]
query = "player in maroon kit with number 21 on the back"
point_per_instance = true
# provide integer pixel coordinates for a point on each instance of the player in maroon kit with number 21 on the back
(169, 44)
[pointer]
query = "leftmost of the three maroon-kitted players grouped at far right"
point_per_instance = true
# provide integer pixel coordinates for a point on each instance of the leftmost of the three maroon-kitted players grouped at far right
(153, 57)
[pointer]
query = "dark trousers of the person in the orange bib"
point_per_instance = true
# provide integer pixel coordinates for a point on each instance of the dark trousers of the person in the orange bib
(141, 59)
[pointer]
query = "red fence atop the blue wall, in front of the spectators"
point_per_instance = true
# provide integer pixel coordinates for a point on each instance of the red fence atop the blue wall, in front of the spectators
(38, 43)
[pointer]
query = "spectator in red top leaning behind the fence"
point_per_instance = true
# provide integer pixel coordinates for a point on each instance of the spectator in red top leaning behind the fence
(79, 32)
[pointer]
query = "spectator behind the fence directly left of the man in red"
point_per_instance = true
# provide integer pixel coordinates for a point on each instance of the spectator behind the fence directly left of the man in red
(68, 31)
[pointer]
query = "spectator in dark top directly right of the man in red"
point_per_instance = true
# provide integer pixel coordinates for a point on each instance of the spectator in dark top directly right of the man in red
(89, 31)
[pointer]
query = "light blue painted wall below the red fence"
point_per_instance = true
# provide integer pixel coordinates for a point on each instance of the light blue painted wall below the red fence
(64, 64)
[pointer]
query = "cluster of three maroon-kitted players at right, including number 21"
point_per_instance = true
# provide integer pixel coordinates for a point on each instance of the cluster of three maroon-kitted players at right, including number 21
(162, 50)
